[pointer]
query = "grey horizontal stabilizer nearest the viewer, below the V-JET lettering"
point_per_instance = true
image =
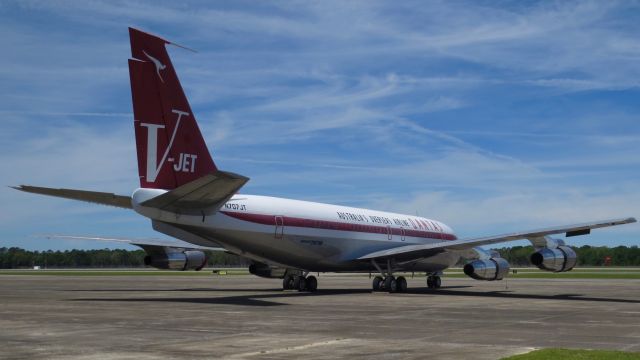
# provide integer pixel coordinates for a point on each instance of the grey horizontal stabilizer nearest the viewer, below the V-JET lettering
(204, 195)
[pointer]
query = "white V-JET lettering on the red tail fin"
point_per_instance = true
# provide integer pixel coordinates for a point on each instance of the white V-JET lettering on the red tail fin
(186, 163)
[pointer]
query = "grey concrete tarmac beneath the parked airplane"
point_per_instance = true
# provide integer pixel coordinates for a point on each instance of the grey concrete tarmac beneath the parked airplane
(245, 317)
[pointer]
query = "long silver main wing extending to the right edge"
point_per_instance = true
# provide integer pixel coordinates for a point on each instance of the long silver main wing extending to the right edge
(417, 251)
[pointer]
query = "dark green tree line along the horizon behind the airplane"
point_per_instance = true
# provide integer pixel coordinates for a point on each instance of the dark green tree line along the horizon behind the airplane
(15, 258)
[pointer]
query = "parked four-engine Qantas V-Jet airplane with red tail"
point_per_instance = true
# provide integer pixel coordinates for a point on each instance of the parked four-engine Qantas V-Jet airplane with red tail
(188, 198)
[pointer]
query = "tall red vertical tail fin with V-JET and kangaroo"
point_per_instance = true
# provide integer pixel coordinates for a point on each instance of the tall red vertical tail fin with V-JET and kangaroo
(171, 150)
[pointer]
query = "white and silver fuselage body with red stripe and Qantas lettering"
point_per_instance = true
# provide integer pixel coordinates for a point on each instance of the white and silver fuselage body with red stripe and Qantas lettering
(304, 235)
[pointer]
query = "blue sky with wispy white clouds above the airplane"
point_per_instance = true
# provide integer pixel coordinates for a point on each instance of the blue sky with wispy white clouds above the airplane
(489, 116)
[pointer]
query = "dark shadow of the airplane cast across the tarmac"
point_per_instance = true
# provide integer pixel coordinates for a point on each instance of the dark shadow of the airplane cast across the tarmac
(268, 297)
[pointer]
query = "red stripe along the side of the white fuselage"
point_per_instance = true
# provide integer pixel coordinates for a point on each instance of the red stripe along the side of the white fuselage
(335, 225)
